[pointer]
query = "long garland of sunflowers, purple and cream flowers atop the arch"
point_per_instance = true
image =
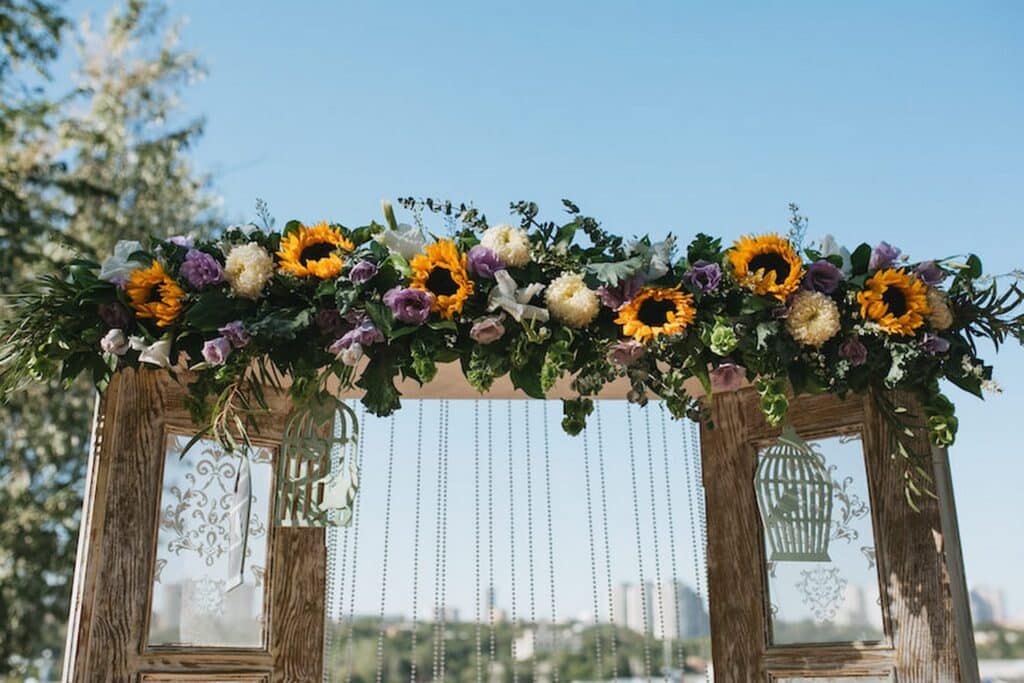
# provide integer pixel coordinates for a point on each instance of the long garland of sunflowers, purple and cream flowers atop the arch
(537, 302)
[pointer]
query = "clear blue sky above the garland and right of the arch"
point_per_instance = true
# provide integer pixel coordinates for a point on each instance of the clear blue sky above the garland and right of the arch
(884, 121)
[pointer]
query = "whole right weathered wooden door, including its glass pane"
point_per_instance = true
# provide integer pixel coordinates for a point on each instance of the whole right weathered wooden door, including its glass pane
(887, 604)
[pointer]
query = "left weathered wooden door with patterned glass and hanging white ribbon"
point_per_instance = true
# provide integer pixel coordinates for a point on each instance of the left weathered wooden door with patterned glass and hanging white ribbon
(156, 599)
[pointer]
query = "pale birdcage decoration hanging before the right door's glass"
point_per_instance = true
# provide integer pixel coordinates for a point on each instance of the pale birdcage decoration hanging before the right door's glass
(795, 496)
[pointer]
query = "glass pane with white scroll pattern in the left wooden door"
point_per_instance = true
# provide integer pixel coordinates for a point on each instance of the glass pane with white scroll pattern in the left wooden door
(194, 604)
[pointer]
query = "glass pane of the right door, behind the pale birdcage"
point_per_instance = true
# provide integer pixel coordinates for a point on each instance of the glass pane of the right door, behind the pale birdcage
(823, 583)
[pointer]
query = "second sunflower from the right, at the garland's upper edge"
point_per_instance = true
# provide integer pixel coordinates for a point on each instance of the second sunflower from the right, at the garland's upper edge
(767, 265)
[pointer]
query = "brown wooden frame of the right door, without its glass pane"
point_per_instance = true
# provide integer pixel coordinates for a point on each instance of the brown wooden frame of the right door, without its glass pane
(918, 554)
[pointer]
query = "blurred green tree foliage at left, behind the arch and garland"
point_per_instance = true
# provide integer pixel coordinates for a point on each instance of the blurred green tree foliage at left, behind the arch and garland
(78, 173)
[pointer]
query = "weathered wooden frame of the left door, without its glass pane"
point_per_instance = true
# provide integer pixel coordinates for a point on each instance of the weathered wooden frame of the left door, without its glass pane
(107, 638)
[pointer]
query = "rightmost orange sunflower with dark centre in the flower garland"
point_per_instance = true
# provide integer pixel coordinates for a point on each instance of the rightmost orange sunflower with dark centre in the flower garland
(897, 301)
